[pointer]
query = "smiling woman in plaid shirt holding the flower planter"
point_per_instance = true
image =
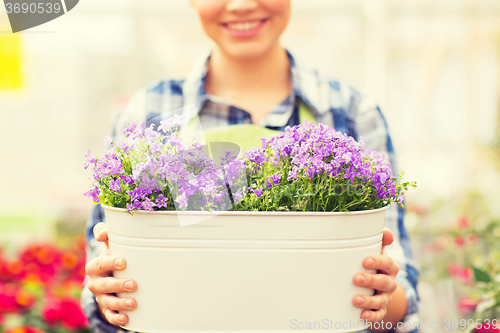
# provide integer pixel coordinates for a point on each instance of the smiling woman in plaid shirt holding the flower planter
(249, 78)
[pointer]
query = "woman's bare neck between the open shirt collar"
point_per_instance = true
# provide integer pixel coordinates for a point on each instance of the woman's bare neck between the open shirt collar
(255, 85)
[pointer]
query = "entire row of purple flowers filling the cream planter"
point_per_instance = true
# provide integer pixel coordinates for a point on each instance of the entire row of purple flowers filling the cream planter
(306, 168)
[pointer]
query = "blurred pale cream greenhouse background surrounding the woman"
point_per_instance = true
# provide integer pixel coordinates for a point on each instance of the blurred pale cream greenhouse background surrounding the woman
(434, 67)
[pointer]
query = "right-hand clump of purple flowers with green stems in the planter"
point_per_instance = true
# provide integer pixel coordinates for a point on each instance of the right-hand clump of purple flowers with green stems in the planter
(315, 168)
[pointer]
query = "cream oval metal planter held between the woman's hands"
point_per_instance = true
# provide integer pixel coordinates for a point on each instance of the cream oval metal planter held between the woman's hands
(245, 271)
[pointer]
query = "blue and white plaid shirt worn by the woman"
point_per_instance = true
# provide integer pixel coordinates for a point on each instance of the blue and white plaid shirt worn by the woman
(332, 103)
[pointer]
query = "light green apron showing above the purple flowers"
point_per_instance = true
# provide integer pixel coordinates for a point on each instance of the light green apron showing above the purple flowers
(244, 135)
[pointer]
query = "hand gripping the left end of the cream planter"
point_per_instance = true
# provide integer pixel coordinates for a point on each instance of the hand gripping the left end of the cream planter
(102, 283)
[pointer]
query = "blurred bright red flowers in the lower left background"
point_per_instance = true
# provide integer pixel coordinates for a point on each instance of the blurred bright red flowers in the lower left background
(41, 288)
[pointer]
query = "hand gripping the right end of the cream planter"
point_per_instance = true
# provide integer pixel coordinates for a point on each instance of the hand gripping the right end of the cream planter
(384, 282)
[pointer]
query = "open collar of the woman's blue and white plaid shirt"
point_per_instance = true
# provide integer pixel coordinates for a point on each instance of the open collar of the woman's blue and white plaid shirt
(305, 83)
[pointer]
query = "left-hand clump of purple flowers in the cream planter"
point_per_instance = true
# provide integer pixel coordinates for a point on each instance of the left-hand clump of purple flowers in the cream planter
(155, 170)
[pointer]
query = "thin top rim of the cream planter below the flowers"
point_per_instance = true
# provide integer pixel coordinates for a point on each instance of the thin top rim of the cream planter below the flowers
(247, 213)
